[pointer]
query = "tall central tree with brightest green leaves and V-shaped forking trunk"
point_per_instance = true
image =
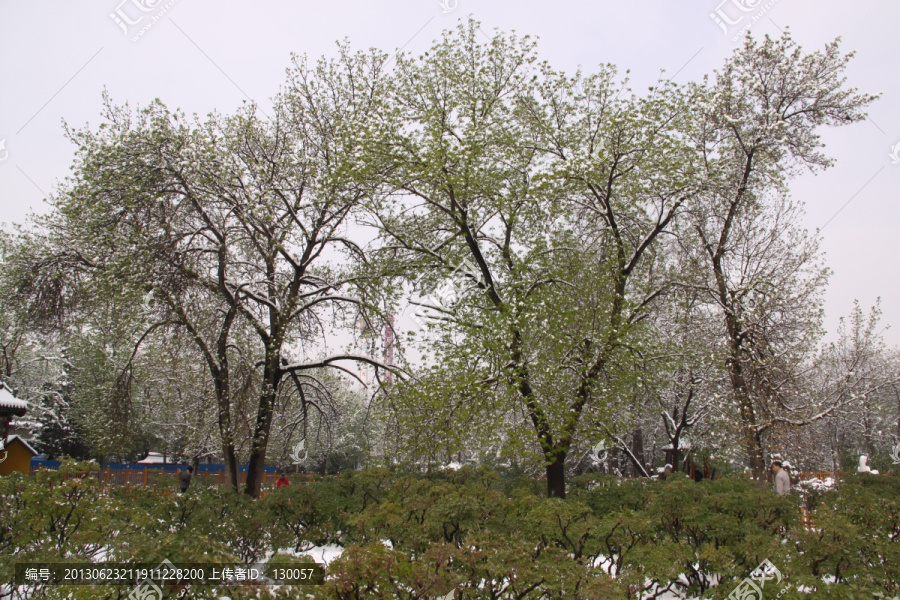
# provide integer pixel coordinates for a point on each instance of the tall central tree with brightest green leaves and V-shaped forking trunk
(552, 190)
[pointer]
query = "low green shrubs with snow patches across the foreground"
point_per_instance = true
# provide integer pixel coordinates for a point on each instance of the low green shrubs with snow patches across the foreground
(472, 531)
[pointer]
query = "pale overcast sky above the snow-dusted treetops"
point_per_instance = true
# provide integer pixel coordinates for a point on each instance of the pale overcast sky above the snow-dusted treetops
(200, 56)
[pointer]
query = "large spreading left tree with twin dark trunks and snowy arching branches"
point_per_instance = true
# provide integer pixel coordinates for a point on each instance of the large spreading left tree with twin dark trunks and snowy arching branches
(232, 223)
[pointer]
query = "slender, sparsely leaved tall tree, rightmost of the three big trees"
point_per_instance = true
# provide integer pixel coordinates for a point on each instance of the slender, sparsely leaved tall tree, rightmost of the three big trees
(761, 270)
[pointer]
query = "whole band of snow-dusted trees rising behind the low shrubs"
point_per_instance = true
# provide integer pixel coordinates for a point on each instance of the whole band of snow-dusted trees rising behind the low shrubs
(592, 265)
